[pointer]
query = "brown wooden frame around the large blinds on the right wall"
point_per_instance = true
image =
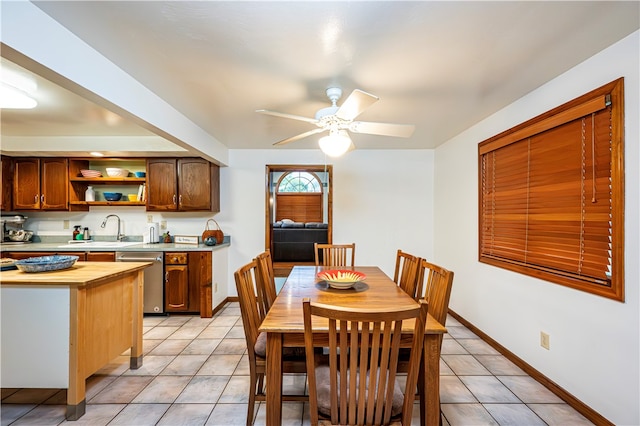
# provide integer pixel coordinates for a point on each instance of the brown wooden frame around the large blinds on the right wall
(554, 119)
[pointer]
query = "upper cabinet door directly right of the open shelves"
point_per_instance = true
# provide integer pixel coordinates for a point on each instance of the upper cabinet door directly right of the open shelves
(162, 184)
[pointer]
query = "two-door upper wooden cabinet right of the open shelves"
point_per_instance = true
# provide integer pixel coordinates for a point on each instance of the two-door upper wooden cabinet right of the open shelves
(184, 184)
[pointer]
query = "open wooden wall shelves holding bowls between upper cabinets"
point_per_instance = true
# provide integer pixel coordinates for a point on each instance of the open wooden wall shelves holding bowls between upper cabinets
(126, 185)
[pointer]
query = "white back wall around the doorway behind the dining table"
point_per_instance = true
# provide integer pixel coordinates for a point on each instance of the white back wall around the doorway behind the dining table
(381, 201)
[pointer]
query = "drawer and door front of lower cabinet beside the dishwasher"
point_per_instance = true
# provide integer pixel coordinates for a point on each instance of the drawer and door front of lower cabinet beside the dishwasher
(176, 282)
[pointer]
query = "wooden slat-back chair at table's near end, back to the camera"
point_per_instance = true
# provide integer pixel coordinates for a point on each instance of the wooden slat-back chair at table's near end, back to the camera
(358, 385)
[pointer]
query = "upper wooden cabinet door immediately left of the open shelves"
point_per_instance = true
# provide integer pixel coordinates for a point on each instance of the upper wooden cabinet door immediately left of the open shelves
(54, 184)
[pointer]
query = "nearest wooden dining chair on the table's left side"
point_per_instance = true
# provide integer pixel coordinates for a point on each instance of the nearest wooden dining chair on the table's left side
(292, 361)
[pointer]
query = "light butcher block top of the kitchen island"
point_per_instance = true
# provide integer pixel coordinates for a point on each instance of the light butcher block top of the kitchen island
(80, 274)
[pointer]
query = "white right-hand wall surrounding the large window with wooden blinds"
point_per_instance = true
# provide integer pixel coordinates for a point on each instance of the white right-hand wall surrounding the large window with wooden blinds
(594, 341)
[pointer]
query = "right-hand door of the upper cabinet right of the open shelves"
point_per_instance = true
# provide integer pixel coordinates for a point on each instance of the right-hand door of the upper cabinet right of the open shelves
(194, 184)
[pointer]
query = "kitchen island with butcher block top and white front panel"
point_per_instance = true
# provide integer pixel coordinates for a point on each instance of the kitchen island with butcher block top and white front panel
(60, 327)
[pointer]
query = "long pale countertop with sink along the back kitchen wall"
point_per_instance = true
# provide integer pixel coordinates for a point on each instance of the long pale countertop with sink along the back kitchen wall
(55, 247)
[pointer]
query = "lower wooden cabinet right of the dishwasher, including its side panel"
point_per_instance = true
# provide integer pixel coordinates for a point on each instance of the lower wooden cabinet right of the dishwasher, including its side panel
(188, 282)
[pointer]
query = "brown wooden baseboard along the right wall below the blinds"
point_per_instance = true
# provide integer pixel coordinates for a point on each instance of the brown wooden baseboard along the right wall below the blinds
(560, 392)
